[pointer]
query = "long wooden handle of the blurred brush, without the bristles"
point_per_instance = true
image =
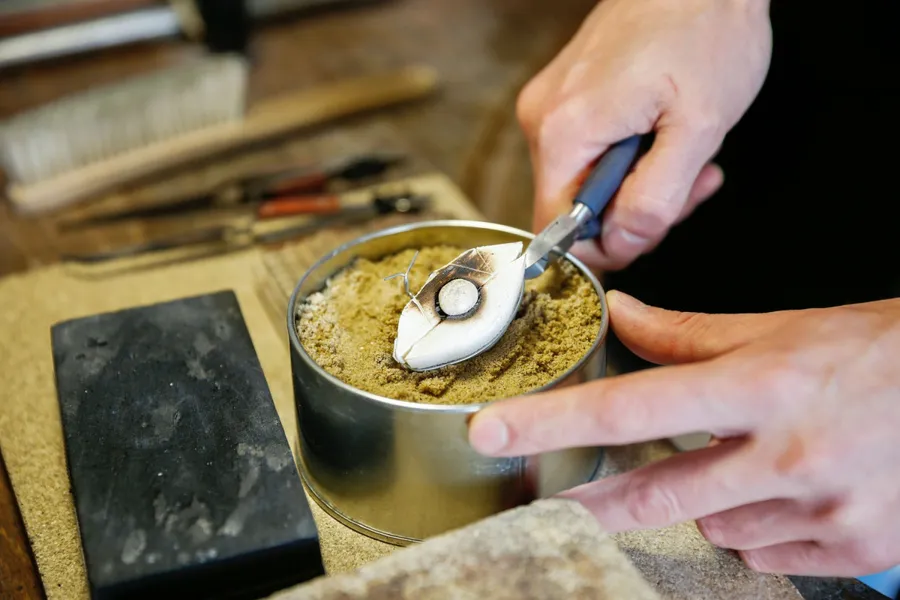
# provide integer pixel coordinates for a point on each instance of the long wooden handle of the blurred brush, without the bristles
(268, 119)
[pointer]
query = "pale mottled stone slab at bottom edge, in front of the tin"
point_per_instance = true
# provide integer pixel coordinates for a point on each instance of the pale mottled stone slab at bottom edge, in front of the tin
(551, 549)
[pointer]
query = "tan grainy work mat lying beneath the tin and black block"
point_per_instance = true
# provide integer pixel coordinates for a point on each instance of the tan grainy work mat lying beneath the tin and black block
(677, 560)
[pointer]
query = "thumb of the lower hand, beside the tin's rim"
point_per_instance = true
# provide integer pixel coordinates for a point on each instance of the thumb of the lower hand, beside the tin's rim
(671, 337)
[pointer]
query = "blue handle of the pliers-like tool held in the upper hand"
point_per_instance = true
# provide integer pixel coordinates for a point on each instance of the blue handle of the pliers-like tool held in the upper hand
(604, 180)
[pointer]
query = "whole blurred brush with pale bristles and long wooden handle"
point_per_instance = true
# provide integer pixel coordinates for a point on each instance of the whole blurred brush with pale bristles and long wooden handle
(89, 143)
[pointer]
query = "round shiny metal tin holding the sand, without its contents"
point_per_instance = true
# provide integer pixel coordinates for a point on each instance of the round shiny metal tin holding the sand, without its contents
(401, 471)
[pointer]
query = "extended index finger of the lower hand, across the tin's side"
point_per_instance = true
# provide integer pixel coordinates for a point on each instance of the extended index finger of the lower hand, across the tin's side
(713, 396)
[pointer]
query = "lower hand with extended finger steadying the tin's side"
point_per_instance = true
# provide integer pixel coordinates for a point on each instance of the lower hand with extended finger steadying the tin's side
(805, 408)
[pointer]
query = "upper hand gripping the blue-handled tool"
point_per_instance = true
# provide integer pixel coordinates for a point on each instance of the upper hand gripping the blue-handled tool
(684, 70)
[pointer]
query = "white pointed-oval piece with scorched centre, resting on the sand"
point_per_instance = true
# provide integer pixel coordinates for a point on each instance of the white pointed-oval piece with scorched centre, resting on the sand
(463, 309)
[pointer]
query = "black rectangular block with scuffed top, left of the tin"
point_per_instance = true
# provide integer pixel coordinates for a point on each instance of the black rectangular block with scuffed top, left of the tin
(183, 478)
